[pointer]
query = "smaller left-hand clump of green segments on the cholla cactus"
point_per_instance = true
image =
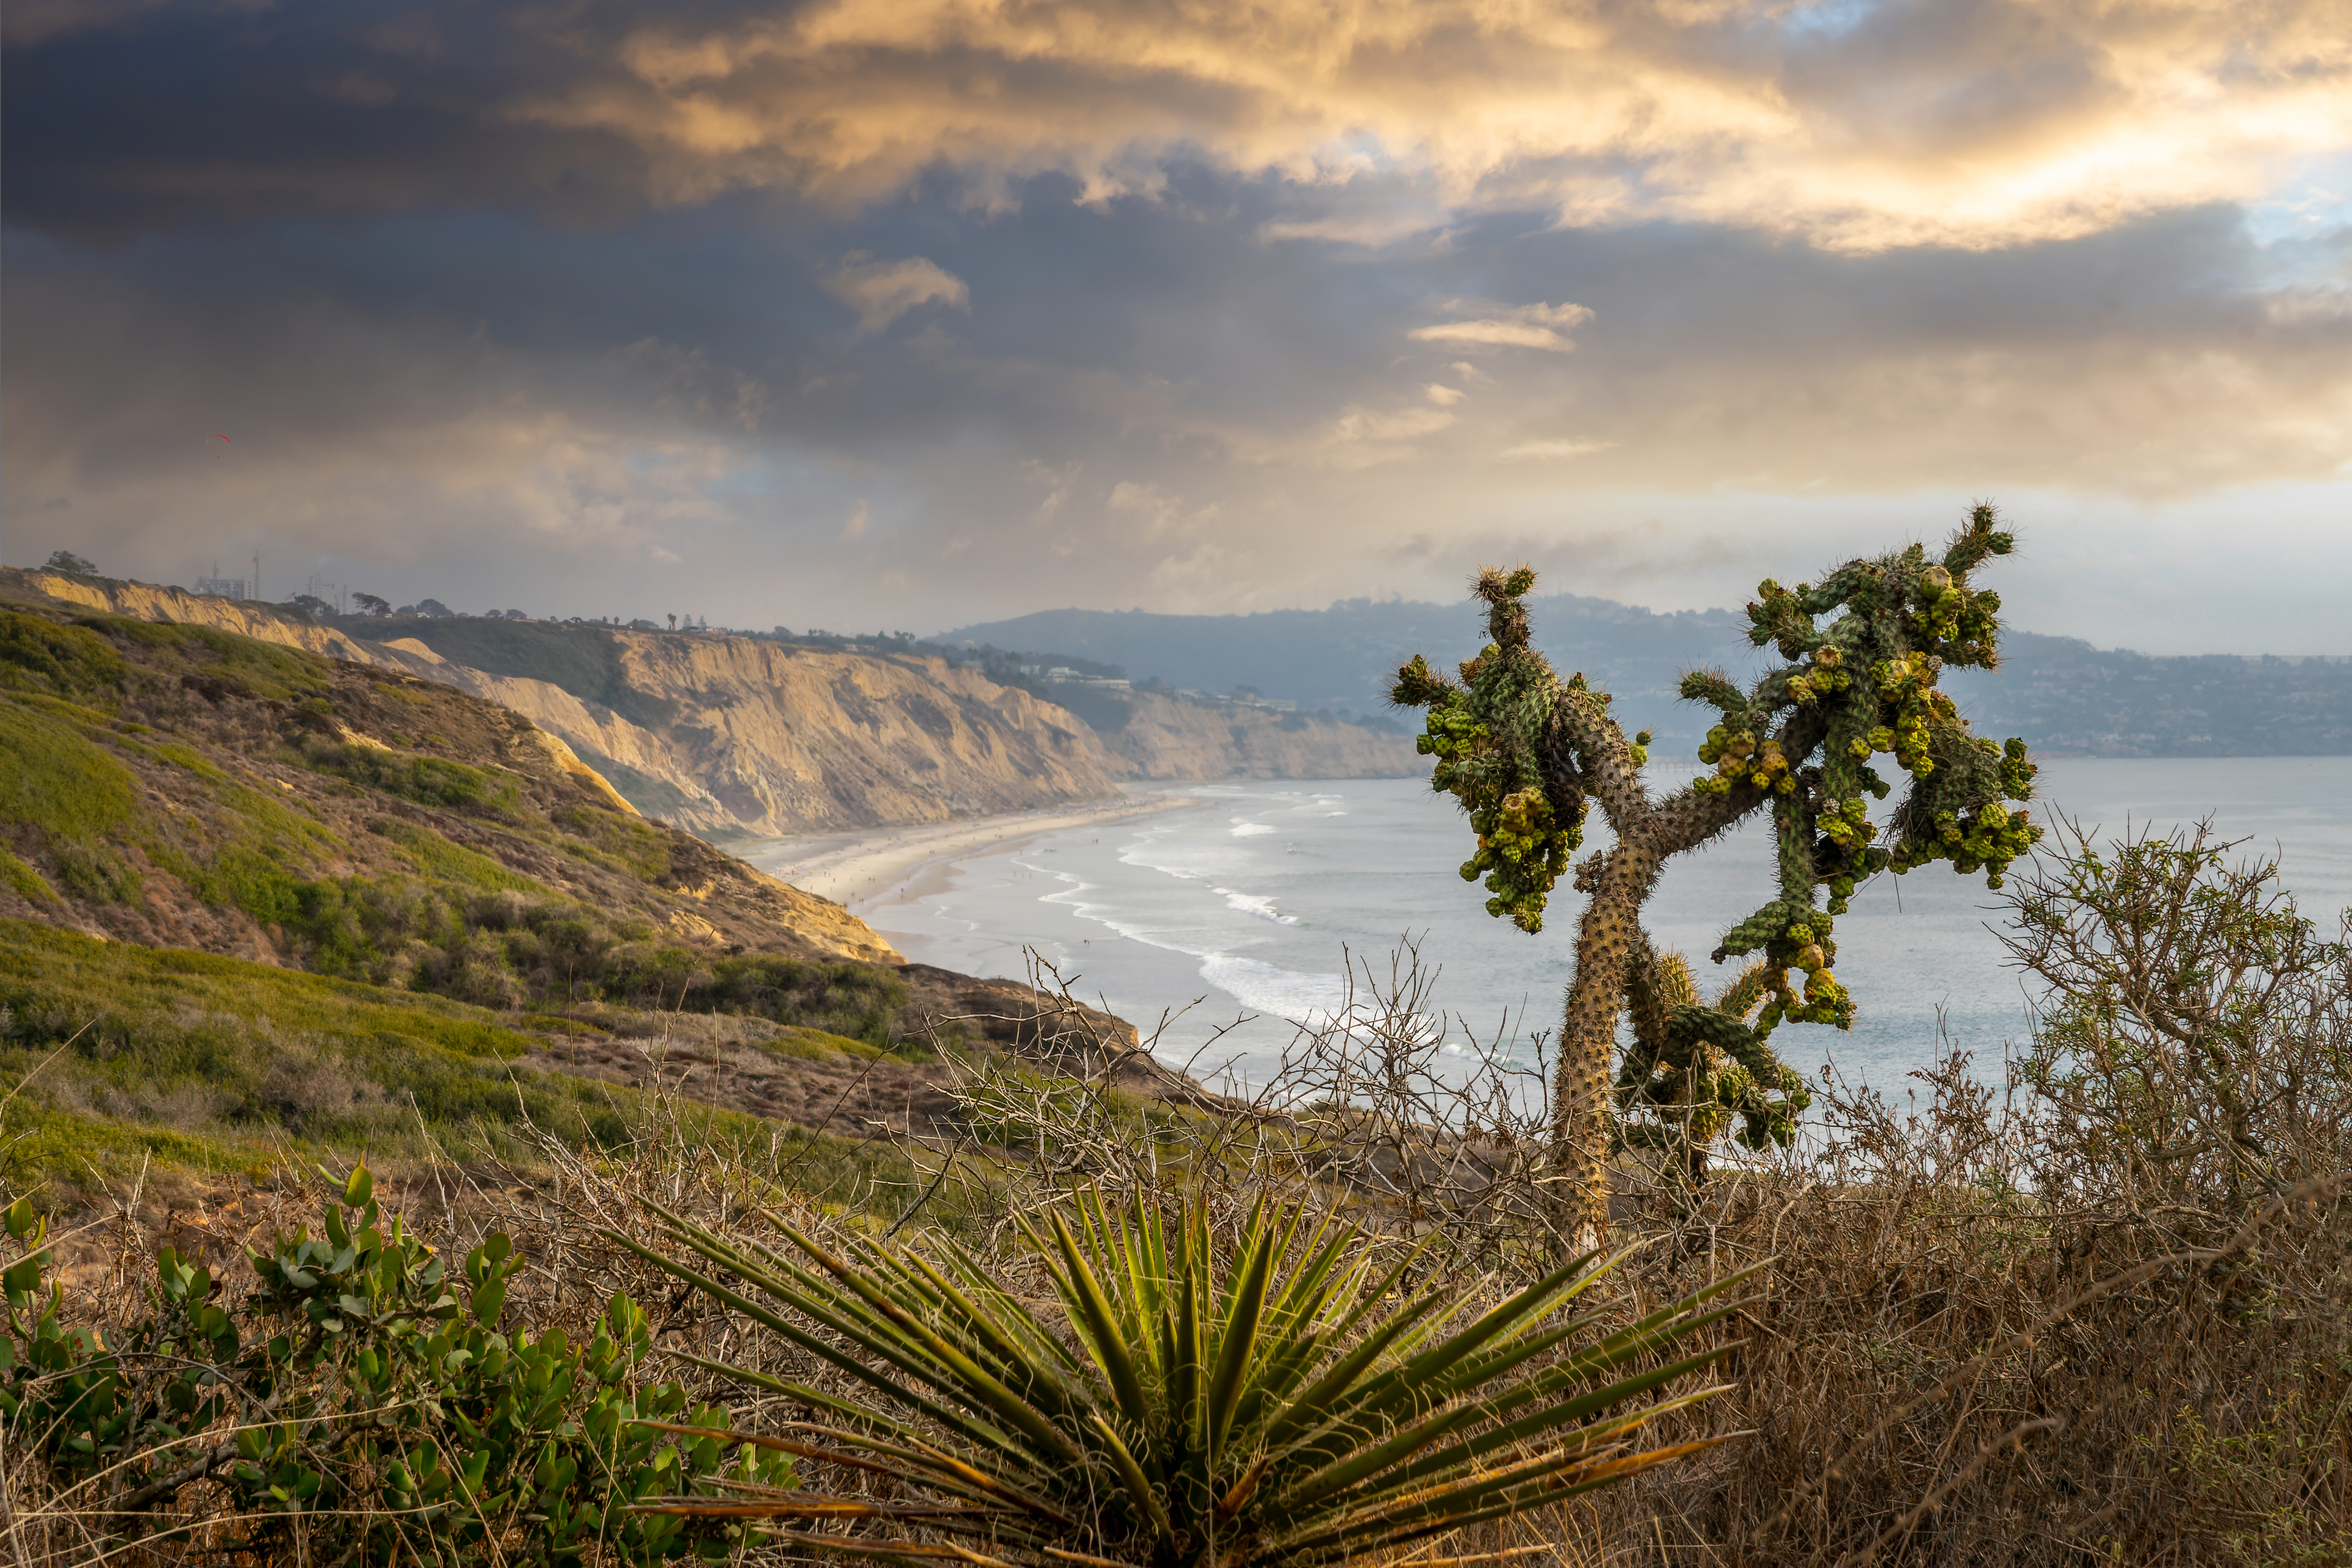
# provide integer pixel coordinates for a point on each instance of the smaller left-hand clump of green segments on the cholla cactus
(1490, 737)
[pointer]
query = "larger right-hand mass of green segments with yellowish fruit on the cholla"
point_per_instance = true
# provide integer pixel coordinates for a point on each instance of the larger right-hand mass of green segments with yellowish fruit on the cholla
(1869, 685)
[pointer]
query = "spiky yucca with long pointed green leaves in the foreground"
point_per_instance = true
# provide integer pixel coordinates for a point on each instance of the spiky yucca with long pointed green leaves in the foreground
(1297, 1407)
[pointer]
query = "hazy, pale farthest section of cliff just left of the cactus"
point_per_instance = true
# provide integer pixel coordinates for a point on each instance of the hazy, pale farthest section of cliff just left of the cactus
(1180, 739)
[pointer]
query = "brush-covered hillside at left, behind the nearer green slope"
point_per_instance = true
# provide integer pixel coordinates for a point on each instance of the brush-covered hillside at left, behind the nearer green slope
(180, 786)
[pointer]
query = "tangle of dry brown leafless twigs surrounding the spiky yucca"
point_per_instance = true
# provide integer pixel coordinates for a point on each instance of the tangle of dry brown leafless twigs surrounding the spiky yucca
(2092, 1313)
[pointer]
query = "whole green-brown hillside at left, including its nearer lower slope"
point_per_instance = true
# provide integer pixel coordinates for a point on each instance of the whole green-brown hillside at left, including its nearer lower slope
(260, 904)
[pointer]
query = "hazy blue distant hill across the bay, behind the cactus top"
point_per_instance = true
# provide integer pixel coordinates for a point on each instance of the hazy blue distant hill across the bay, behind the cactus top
(2059, 692)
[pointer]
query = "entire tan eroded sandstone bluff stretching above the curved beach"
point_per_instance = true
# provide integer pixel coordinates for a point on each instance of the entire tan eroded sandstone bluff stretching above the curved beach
(751, 737)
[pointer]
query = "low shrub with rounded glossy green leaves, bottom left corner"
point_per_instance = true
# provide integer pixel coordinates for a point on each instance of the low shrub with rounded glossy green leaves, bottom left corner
(361, 1405)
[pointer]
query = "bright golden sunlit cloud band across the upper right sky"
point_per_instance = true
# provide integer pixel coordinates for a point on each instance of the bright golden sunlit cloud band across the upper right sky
(1857, 130)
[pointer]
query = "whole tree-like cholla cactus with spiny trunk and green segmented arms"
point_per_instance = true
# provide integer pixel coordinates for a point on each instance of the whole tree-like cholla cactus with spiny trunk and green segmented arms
(1525, 753)
